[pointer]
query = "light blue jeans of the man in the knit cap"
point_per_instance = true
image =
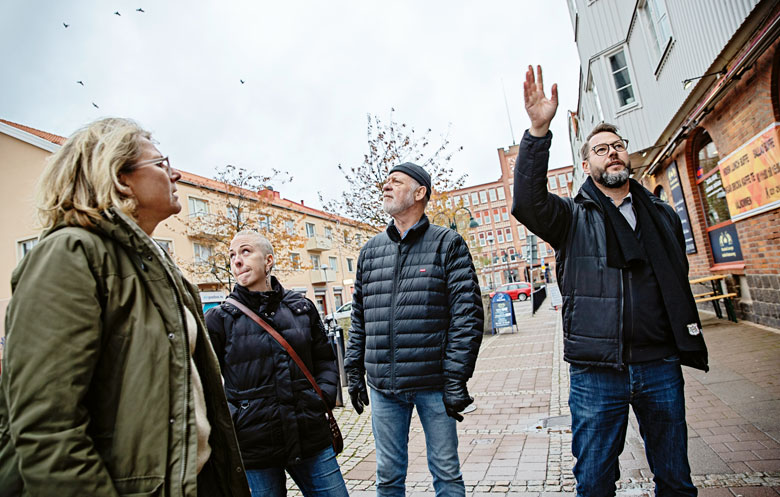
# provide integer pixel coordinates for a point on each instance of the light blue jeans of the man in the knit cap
(390, 418)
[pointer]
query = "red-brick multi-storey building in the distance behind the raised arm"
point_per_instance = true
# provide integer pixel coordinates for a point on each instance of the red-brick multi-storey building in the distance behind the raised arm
(499, 244)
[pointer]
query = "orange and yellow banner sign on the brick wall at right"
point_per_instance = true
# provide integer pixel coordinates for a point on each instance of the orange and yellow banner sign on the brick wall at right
(751, 175)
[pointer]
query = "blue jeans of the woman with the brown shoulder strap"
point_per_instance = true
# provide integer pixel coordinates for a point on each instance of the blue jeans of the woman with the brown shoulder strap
(317, 476)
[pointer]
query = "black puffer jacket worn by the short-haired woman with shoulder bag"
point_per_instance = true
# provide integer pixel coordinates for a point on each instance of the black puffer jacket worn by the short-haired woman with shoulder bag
(279, 418)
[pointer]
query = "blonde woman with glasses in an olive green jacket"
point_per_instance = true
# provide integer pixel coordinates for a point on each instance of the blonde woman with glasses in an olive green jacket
(109, 384)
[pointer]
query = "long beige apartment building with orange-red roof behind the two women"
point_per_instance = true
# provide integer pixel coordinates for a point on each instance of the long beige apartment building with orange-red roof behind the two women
(322, 263)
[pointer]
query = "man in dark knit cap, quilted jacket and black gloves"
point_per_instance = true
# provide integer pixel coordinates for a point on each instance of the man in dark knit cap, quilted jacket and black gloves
(416, 329)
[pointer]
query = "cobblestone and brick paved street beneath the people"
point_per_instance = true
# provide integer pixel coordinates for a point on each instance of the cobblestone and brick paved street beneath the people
(518, 440)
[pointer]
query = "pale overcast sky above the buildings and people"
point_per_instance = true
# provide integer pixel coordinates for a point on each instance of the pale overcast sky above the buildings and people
(312, 72)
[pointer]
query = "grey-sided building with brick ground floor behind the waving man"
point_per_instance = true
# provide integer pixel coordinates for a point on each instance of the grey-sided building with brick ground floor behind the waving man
(696, 90)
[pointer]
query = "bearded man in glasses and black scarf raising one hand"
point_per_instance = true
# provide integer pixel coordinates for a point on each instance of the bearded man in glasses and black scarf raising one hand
(629, 318)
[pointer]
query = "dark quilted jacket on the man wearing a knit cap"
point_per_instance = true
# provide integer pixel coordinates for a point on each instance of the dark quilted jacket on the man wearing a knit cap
(416, 311)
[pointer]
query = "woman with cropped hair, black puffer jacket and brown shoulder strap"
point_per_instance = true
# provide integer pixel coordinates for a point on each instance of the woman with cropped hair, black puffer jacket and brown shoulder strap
(279, 418)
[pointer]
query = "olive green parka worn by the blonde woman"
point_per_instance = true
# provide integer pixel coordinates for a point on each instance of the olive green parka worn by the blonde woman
(95, 390)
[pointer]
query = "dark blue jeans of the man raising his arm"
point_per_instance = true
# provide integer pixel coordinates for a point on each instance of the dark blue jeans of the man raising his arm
(599, 400)
